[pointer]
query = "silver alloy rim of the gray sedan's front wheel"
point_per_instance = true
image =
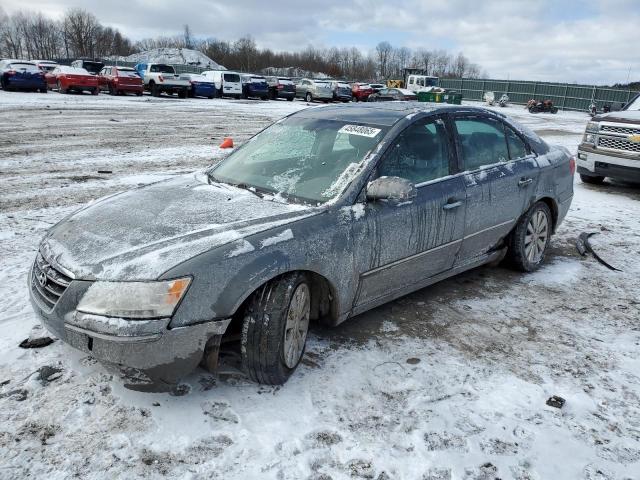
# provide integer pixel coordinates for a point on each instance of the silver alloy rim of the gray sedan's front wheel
(297, 326)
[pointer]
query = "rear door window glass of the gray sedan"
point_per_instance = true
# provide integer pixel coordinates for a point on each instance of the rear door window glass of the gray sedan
(483, 142)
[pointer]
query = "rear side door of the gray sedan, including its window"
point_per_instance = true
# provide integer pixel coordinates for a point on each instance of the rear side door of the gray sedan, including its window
(500, 176)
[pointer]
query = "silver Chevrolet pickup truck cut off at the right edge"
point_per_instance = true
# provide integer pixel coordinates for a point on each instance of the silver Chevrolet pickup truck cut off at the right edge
(611, 146)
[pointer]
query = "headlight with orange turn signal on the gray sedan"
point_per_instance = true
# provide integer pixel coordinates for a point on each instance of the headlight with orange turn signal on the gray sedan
(134, 299)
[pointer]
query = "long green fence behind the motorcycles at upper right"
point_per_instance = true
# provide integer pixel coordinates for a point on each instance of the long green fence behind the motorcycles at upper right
(565, 96)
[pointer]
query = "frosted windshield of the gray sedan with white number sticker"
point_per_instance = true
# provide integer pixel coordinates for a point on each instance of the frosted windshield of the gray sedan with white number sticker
(303, 159)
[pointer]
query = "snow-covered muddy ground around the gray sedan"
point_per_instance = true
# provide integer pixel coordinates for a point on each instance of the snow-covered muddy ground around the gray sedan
(447, 383)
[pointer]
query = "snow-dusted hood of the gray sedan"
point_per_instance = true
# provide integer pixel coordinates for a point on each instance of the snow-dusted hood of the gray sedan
(142, 233)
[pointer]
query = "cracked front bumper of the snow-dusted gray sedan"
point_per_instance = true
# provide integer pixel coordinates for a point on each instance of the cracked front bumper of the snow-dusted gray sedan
(147, 354)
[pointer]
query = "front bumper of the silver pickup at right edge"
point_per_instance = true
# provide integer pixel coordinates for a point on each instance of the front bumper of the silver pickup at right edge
(596, 163)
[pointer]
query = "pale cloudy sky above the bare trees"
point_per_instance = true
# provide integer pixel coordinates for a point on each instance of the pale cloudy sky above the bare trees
(583, 41)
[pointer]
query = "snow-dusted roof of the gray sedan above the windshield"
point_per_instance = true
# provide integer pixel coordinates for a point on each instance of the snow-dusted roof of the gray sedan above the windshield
(387, 113)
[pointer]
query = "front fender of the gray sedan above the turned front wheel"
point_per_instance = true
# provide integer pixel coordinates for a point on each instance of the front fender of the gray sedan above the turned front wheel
(225, 277)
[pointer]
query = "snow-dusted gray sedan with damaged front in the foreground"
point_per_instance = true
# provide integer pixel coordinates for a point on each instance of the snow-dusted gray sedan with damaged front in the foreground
(323, 215)
